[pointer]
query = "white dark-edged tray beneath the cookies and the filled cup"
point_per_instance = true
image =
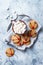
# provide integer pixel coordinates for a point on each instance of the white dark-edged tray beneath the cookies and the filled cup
(26, 19)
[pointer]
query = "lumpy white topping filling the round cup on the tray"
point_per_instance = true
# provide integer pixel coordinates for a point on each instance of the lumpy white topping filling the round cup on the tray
(19, 27)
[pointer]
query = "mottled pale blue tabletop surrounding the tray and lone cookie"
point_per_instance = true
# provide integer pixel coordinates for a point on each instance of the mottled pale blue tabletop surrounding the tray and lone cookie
(33, 55)
